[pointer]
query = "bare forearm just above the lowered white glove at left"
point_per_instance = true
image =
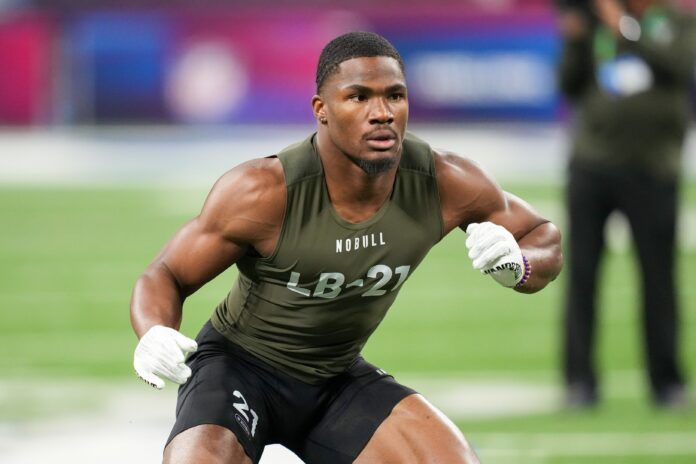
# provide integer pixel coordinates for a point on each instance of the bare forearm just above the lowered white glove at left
(157, 300)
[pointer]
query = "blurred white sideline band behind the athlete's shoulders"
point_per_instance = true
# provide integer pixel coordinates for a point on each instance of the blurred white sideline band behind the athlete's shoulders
(197, 156)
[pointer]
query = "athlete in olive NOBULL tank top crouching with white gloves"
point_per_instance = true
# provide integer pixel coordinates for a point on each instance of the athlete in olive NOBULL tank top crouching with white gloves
(324, 235)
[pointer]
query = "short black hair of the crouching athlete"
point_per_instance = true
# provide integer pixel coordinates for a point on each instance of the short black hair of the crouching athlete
(349, 46)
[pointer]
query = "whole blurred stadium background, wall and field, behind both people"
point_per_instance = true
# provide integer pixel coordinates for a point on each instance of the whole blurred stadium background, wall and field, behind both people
(116, 117)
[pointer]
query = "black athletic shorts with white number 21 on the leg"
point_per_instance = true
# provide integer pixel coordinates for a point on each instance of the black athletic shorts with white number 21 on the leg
(327, 423)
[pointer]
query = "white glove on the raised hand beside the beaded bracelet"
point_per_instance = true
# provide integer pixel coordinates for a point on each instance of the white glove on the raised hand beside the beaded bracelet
(494, 251)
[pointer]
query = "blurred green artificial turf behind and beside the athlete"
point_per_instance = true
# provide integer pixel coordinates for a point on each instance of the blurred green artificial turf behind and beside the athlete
(70, 257)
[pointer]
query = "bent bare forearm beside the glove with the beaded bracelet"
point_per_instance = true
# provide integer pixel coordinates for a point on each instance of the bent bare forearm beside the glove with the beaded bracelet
(542, 248)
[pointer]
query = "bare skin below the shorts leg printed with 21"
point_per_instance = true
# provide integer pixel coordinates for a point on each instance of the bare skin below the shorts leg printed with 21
(205, 444)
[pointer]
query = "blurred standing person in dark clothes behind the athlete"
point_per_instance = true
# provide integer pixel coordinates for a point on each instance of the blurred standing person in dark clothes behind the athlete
(627, 67)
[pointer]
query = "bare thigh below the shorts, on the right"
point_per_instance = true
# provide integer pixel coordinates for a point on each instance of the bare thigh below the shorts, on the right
(417, 432)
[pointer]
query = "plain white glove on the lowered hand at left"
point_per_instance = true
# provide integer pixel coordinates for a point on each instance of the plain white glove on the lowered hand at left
(162, 352)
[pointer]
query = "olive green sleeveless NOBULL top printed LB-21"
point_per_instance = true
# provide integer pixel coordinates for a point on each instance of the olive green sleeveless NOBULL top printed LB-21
(309, 307)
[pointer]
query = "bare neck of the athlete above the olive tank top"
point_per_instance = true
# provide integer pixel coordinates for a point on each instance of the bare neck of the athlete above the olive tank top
(355, 195)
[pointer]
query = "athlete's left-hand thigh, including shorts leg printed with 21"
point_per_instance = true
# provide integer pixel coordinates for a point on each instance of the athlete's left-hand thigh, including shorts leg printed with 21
(227, 389)
